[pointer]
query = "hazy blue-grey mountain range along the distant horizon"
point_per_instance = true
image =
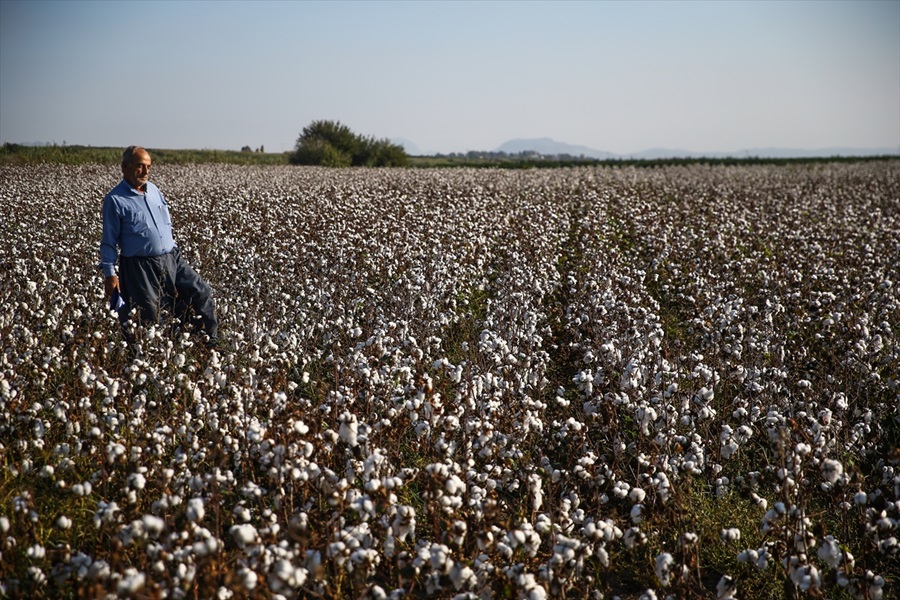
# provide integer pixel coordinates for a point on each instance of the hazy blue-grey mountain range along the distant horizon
(550, 147)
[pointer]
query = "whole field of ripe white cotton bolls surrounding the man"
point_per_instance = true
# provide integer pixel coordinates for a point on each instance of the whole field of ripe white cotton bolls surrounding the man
(586, 383)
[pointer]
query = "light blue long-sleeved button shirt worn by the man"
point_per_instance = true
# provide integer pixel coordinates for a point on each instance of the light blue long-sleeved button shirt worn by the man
(134, 224)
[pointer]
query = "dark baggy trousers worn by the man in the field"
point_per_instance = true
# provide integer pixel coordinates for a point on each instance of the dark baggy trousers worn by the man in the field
(149, 283)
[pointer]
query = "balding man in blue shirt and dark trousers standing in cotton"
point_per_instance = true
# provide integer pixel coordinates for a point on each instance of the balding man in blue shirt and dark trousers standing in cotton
(137, 230)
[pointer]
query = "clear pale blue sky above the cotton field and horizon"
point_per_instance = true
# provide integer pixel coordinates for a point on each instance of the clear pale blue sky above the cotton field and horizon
(453, 76)
